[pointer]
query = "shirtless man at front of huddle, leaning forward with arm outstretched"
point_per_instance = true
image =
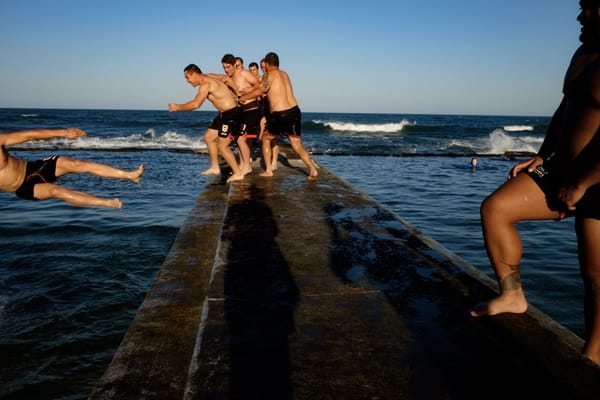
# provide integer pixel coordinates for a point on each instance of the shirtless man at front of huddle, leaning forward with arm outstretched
(224, 128)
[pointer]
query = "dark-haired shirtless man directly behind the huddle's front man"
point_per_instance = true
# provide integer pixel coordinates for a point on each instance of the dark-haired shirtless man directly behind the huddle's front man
(248, 89)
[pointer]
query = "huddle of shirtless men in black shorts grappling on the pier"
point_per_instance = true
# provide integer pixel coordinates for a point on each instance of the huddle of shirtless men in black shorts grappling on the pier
(250, 108)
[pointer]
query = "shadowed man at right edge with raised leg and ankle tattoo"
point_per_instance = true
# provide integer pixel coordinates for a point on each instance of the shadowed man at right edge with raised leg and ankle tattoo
(562, 180)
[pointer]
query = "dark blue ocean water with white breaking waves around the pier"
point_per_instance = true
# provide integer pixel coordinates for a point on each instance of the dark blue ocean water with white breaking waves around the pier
(71, 279)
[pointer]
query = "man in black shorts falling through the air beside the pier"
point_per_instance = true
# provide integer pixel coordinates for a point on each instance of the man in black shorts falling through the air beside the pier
(35, 180)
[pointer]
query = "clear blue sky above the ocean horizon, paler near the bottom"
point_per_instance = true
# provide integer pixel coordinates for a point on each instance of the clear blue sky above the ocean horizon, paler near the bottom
(432, 57)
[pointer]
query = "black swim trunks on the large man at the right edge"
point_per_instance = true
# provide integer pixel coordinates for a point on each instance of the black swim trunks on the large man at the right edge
(549, 180)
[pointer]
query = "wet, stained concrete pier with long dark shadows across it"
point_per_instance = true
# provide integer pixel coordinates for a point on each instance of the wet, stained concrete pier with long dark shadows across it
(285, 288)
